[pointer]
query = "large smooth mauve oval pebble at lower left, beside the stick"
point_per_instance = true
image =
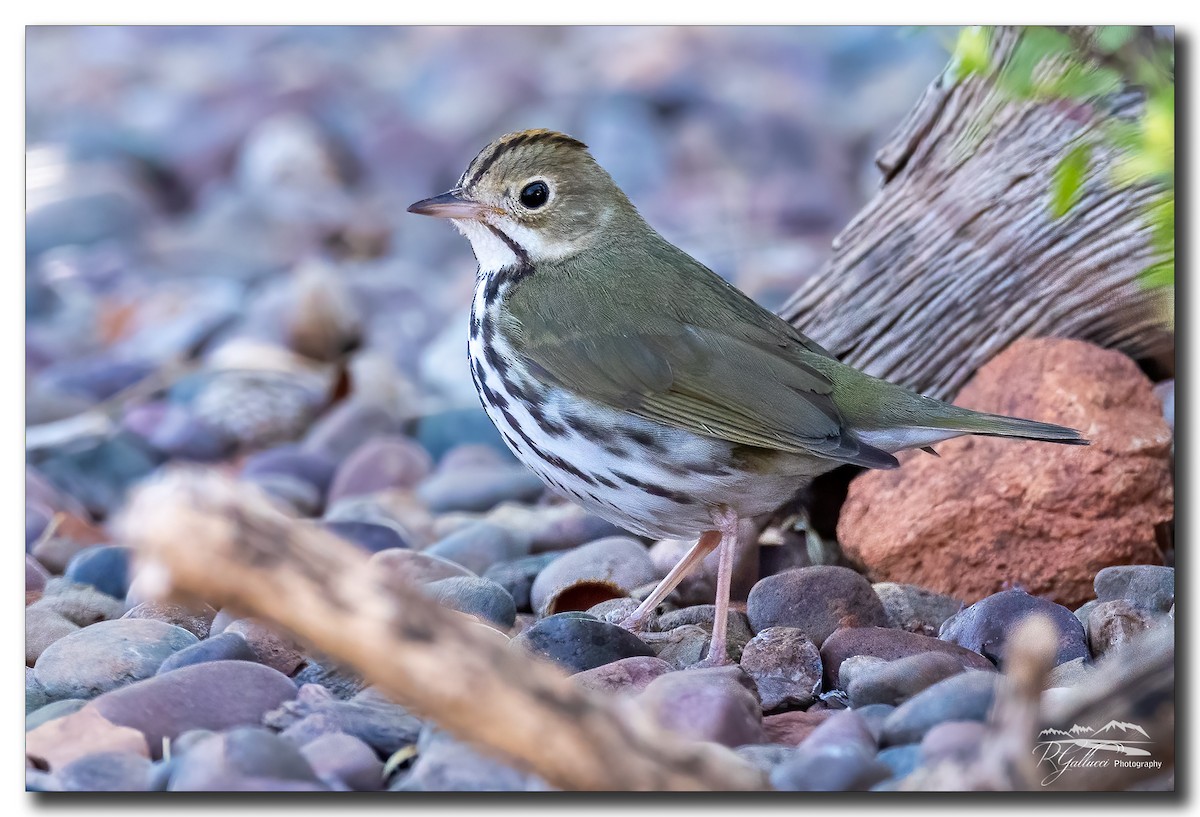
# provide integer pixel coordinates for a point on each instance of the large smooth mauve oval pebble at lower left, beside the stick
(220, 695)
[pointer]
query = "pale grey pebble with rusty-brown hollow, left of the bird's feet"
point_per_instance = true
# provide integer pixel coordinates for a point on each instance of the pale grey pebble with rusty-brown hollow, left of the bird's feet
(605, 569)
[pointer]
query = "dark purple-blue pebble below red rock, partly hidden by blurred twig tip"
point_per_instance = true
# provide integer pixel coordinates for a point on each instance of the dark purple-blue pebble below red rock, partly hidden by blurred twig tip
(986, 626)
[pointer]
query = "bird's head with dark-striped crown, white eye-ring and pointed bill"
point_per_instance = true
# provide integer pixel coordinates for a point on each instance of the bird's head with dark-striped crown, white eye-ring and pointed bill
(532, 196)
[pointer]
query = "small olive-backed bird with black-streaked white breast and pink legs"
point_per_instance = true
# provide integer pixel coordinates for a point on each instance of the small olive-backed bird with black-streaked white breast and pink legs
(641, 385)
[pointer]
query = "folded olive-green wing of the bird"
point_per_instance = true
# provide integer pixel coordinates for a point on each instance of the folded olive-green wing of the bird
(704, 381)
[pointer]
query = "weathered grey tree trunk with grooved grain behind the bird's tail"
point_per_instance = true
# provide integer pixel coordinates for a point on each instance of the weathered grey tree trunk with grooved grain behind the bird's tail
(958, 255)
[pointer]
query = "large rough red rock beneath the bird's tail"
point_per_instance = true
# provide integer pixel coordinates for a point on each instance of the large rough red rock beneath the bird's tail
(995, 513)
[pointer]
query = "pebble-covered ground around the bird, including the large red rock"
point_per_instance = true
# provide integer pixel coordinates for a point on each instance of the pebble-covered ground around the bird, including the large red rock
(219, 274)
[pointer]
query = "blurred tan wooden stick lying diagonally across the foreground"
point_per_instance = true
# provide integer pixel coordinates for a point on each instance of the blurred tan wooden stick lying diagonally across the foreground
(207, 536)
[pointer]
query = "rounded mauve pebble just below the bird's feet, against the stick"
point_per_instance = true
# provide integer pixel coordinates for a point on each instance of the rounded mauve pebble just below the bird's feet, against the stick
(715, 705)
